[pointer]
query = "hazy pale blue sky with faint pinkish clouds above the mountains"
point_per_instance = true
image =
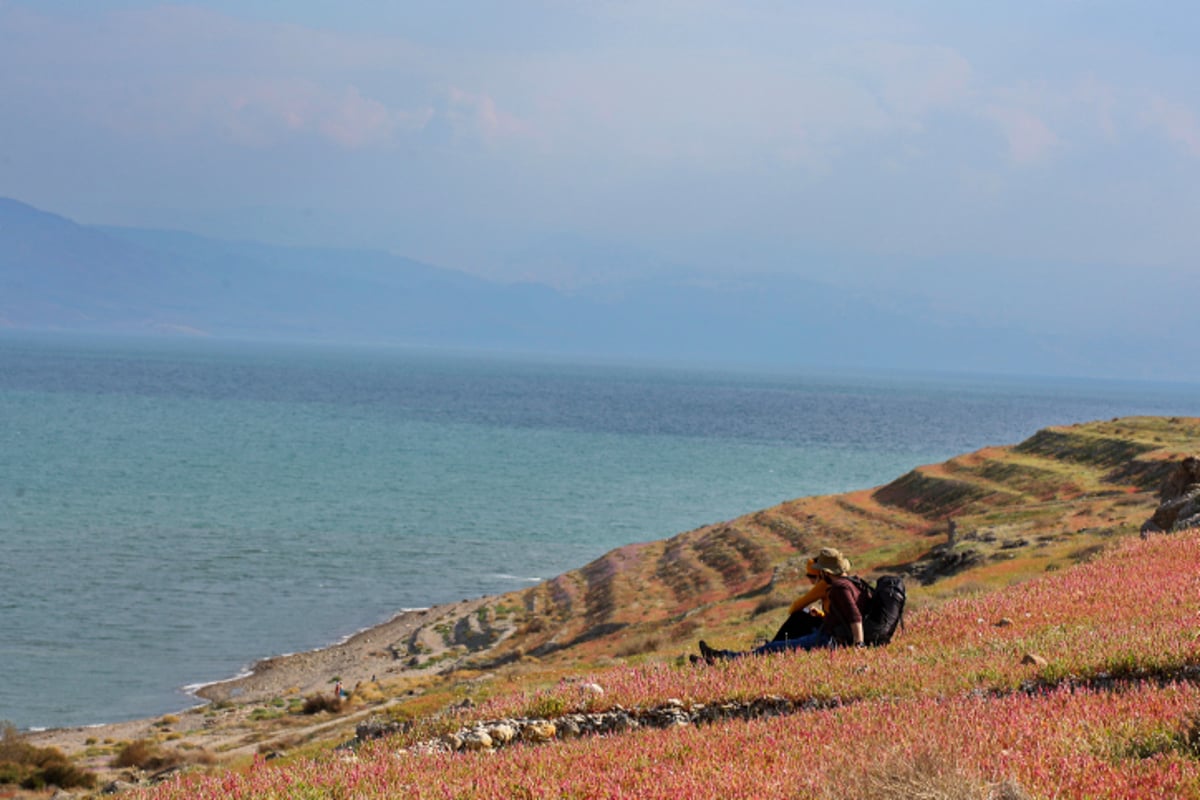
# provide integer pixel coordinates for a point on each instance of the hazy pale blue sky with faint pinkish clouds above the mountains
(956, 148)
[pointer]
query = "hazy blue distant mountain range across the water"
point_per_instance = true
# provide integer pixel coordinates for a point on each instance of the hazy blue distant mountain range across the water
(57, 275)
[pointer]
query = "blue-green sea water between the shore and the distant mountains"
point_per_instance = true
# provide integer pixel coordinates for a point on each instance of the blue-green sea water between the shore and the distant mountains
(171, 513)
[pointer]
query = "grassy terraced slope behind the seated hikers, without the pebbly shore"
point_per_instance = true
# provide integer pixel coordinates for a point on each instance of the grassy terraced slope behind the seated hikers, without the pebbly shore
(1060, 498)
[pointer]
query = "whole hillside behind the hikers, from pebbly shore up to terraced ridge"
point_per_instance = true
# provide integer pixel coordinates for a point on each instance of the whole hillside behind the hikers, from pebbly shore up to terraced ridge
(1064, 497)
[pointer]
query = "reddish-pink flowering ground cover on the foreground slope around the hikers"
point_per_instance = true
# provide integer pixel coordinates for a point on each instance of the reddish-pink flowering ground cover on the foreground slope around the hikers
(950, 696)
